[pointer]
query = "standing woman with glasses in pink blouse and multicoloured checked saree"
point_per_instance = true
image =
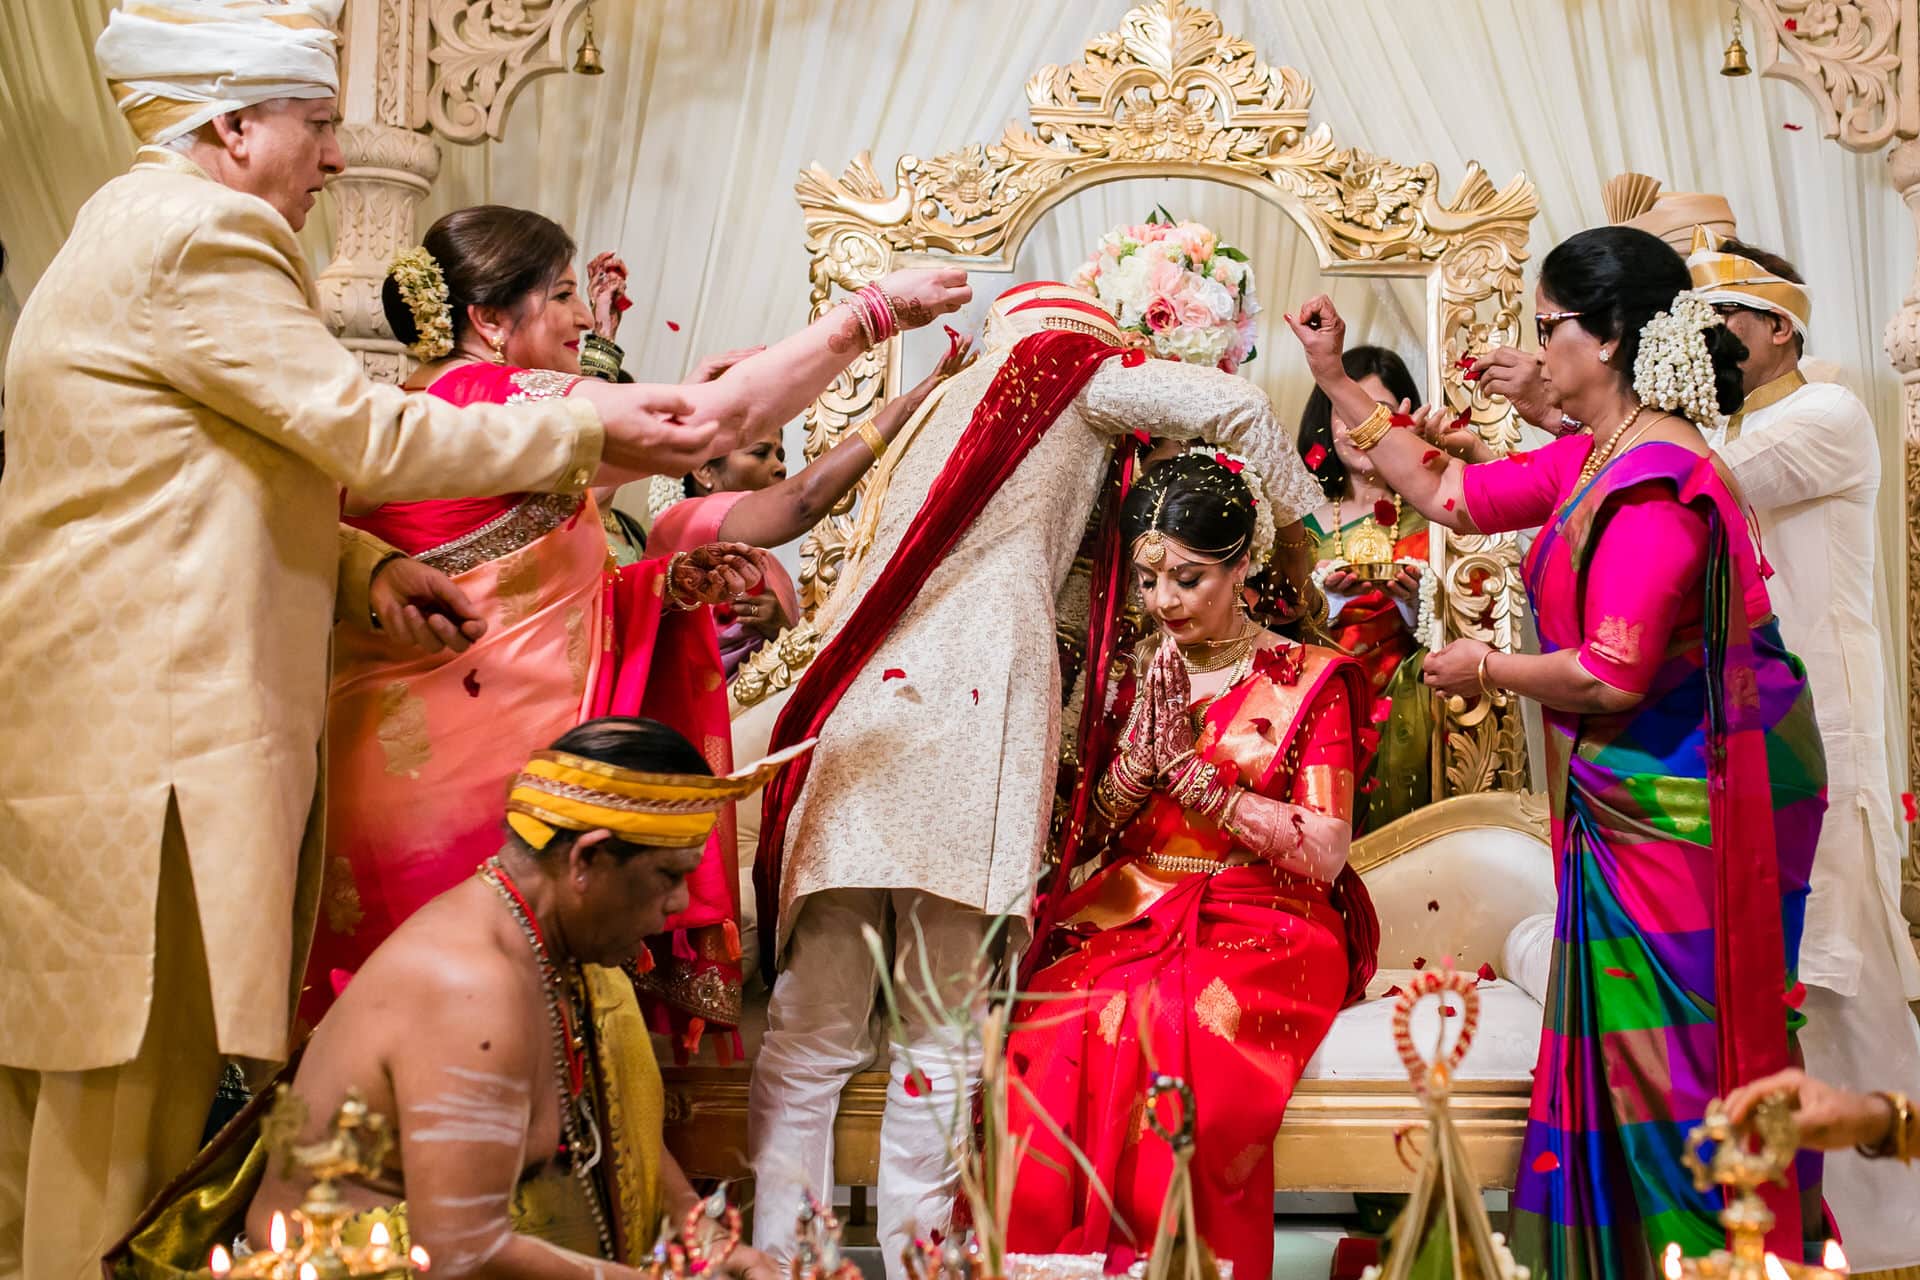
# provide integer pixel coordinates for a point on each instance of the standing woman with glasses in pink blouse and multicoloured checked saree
(1685, 767)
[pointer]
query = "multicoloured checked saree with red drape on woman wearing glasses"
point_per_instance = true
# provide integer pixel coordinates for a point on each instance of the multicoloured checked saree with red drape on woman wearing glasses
(1685, 836)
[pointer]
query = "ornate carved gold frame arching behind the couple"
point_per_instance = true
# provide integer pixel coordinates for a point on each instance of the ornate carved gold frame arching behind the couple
(1174, 95)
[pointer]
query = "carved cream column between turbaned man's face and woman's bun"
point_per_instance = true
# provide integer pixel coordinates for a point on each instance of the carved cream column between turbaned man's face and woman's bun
(375, 204)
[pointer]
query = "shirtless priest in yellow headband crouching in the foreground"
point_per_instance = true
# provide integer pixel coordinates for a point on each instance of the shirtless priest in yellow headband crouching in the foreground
(502, 1039)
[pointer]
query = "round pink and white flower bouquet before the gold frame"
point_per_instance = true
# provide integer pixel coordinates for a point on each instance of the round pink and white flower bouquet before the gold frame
(1178, 285)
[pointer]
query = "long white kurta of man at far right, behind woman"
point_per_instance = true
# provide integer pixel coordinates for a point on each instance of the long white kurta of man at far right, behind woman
(1810, 465)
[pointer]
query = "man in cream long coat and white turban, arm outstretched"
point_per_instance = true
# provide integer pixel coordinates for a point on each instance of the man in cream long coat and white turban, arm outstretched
(180, 427)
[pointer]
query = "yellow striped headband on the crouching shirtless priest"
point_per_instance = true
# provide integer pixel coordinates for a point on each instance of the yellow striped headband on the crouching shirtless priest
(560, 792)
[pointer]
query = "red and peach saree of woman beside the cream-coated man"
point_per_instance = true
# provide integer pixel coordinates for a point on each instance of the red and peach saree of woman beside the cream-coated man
(421, 747)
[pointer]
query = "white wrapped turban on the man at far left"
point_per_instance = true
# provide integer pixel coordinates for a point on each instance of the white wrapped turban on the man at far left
(178, 64)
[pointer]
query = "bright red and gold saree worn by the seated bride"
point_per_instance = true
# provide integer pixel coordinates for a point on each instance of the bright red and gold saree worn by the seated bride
(1228, 980)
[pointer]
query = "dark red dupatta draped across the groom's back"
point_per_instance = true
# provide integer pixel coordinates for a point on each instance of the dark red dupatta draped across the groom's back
(1040, 379)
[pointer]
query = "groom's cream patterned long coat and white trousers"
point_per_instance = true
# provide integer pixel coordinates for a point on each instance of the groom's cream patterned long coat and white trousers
(938, 784)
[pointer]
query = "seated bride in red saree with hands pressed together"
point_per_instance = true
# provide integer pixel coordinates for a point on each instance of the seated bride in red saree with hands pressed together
(1226, 930)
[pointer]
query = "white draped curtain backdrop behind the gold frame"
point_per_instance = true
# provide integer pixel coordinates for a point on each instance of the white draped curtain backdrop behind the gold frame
(684, 154)
